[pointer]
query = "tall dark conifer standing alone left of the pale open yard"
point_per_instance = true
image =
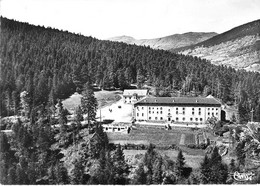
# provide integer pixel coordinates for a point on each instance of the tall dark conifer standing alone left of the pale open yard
(89, 103)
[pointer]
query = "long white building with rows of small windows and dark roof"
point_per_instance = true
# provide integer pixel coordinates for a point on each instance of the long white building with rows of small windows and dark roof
(177, 110)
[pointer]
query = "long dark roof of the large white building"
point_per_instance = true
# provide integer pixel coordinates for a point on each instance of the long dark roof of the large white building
(186, 101)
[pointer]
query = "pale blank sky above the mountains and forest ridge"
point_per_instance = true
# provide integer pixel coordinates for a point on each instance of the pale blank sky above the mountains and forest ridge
(141, 19)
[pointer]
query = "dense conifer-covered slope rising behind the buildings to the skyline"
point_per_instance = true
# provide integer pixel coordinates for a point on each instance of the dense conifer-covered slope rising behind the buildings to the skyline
(51, 64)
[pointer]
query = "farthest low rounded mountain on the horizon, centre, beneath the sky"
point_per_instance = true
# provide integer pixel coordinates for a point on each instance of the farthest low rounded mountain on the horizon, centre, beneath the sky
(168, 42)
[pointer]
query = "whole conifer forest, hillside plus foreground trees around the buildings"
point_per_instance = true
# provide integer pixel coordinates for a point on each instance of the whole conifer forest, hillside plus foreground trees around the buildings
(41, 66)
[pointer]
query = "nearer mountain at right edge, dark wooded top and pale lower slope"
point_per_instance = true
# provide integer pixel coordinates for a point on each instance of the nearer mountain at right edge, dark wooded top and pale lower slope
(238, 48)
